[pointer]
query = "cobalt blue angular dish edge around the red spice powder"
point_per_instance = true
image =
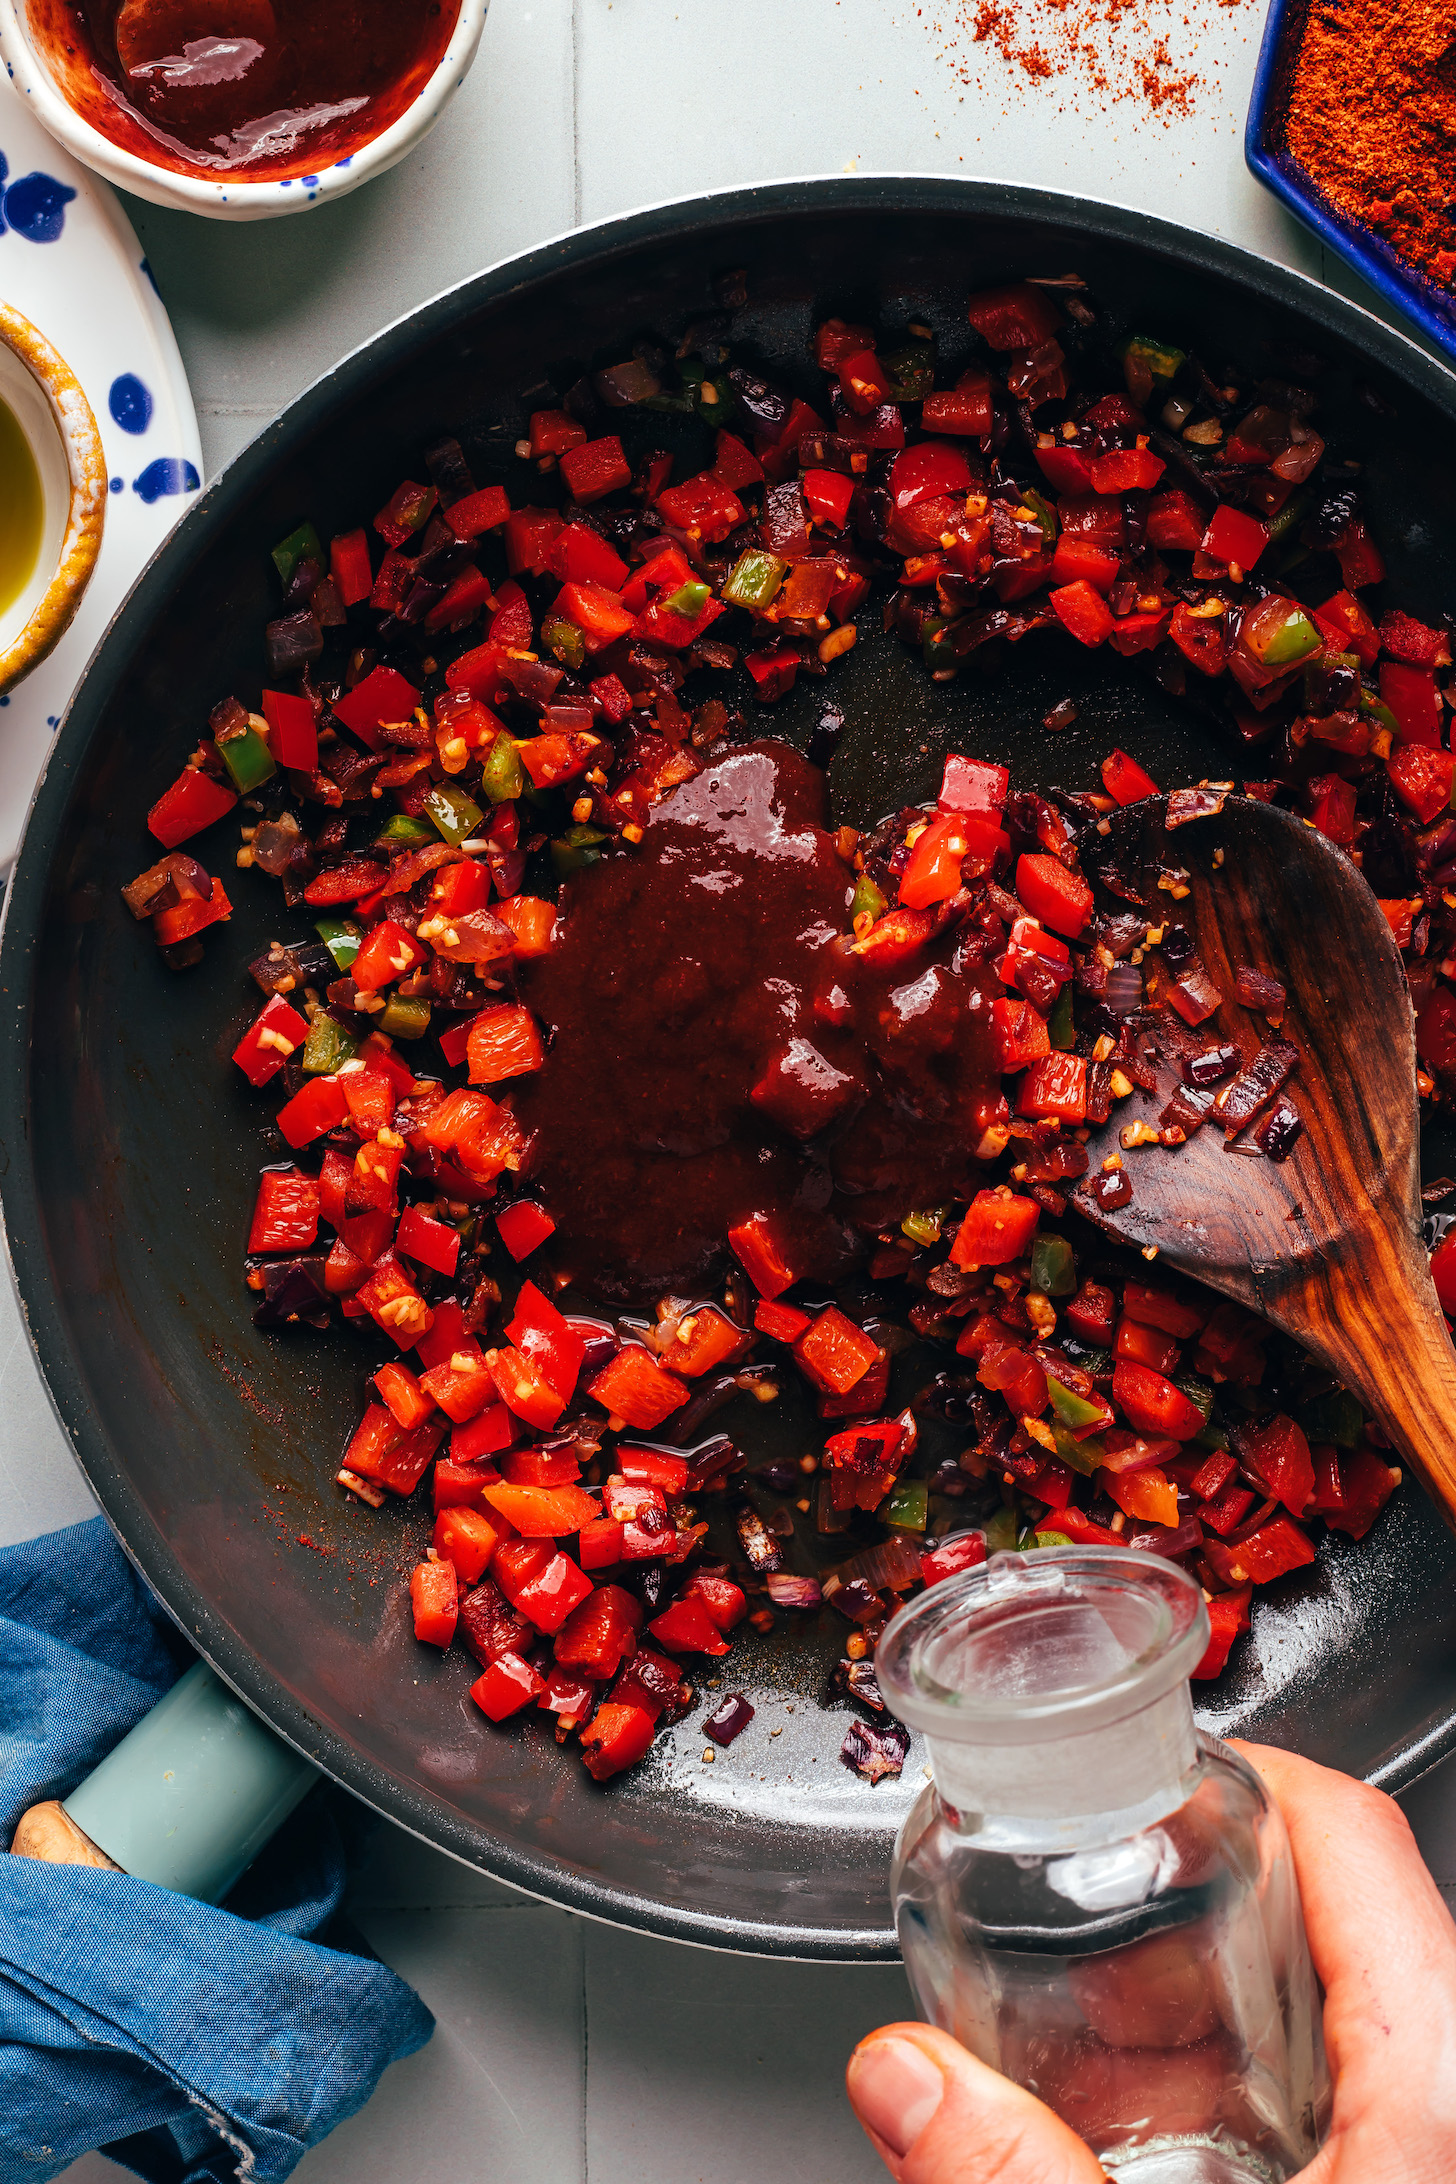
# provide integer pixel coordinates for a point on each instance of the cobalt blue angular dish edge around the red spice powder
(1267, 150)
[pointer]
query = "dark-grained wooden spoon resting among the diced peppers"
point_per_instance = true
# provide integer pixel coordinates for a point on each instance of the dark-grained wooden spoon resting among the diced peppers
(1326, 1244)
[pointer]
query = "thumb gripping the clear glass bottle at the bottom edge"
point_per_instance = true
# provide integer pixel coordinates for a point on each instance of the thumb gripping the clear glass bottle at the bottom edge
(940, 2117)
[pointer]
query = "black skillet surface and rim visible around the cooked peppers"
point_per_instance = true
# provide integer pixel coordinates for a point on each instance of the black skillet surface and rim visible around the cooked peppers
(130, 1143)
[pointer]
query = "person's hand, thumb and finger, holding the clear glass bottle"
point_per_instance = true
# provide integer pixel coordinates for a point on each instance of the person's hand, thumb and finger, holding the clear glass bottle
(1385, 1951)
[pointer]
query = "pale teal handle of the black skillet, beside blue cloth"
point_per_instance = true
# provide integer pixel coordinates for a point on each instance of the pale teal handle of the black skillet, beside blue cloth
(193, 1794)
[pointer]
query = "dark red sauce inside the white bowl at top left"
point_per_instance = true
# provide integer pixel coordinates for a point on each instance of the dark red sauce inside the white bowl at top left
(267, 91)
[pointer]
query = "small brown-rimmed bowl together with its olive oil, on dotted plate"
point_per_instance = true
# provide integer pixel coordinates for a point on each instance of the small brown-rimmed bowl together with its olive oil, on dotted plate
(53, 497)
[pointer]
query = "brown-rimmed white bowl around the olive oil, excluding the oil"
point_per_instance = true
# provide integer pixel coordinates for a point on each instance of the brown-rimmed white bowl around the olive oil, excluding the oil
(62, 436)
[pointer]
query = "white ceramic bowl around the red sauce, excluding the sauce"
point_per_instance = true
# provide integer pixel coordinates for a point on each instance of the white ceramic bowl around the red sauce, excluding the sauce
(230, 198)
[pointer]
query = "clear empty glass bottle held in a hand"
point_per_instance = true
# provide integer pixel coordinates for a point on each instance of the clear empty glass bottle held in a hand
(1095, 1897)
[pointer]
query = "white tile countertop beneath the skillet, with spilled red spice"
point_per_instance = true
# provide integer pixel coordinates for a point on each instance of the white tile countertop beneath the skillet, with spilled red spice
(569, 2050)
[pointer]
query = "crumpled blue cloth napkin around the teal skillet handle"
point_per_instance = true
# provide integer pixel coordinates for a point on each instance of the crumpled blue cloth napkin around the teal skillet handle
(189, 2043)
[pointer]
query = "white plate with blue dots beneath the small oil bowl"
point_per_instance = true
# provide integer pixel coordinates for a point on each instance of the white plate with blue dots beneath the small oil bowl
(71, 263)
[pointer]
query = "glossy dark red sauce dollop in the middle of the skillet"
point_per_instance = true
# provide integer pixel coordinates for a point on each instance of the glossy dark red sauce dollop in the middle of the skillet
(682, 1071)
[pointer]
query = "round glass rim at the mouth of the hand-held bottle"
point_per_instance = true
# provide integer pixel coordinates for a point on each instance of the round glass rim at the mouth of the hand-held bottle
(1060, 1641)
